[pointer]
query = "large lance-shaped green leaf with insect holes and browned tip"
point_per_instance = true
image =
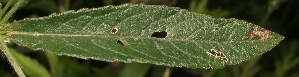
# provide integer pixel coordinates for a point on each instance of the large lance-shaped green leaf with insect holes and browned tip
(147, 34)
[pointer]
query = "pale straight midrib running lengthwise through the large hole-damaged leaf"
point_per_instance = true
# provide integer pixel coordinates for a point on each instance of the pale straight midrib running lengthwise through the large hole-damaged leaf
(114, 36)
